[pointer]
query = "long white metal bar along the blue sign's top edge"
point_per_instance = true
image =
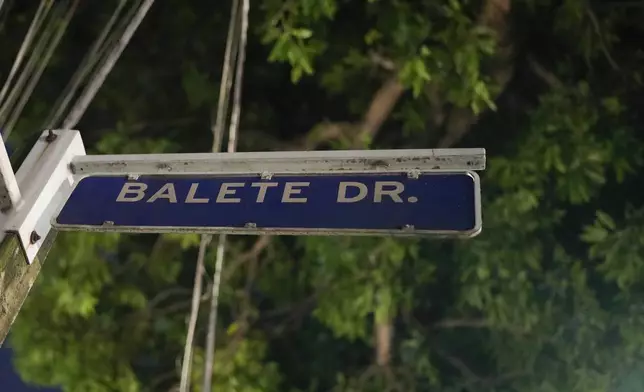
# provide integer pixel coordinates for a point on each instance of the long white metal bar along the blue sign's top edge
(288, 162)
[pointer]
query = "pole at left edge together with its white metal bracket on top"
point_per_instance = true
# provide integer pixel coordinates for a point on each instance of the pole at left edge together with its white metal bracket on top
(29, 199)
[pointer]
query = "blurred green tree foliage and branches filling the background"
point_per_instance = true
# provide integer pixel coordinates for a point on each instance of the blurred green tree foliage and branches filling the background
(547, 298)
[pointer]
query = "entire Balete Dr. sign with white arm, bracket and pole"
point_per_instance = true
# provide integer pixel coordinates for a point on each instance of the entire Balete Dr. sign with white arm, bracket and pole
(378, 192)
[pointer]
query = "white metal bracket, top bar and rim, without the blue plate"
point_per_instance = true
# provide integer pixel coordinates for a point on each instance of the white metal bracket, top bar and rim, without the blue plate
(35, 195)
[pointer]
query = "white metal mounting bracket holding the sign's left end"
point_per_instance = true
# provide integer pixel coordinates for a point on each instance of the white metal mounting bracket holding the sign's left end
(44, 181)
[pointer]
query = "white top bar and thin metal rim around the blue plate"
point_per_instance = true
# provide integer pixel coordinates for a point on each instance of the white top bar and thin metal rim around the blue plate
(265, 165)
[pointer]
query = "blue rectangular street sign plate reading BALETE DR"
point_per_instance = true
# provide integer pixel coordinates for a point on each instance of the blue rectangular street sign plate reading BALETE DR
(369, 203)
